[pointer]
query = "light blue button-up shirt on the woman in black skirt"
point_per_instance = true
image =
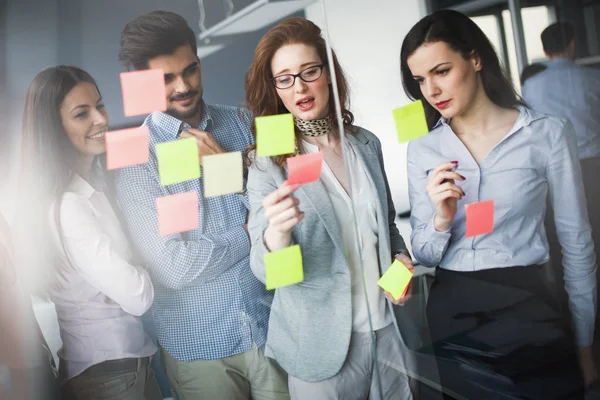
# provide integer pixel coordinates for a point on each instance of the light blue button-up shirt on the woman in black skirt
(537, 157)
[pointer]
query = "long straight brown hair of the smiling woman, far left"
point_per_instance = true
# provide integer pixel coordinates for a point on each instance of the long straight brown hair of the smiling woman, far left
(47, 167)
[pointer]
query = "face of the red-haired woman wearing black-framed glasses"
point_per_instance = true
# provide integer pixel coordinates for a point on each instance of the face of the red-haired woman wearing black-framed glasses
(305, 100)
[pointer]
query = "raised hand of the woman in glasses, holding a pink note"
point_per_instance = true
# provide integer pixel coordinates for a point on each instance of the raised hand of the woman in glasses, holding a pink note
(283, 214)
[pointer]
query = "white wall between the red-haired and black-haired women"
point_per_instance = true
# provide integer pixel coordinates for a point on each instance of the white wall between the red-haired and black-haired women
(367, 36)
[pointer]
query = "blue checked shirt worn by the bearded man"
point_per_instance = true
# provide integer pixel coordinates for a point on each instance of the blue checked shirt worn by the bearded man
(207, 302)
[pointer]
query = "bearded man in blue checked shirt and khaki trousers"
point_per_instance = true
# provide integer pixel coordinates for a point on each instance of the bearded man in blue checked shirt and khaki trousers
(211, 313)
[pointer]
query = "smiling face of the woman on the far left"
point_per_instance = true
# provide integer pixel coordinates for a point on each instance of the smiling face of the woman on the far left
(84, 119)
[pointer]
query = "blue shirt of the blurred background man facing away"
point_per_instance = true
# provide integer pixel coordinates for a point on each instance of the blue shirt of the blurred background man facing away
(567, 90)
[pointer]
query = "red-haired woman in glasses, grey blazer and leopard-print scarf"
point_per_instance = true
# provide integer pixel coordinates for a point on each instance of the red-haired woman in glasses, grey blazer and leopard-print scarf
(321, 330)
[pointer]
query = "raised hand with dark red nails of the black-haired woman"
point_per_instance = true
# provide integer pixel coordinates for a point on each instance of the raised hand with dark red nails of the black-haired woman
(444, 193)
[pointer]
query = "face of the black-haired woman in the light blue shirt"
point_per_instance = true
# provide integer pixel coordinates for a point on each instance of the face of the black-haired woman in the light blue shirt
(447, 80)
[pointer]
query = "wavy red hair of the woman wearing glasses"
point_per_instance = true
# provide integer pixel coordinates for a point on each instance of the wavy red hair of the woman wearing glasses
(261, 96)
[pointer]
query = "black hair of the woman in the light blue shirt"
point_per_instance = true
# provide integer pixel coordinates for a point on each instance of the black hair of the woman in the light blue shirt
(463, 35)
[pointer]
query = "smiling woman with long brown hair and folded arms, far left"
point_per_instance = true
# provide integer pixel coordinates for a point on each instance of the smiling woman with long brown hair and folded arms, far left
(71, 246)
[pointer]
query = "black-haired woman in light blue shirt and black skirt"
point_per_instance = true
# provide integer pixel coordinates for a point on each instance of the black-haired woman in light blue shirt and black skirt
(489, 310)
